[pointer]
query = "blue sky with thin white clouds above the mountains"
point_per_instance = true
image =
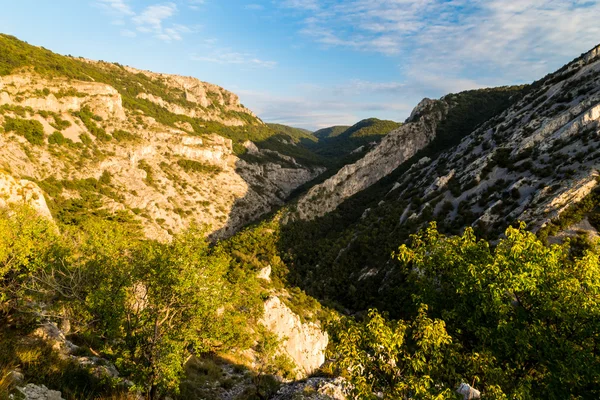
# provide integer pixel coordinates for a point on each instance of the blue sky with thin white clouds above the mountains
(316, 63)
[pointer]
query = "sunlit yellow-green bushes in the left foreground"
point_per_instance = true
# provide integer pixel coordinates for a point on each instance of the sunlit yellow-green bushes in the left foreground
(143, 305)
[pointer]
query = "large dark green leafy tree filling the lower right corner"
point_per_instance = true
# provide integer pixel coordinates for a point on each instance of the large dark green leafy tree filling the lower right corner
(529, 310)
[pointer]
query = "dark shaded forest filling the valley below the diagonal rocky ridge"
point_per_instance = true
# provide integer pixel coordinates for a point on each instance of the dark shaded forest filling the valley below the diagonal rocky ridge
(346, 245)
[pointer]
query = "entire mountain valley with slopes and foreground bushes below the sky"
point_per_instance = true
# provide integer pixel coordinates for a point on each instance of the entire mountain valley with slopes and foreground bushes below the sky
(159, 240)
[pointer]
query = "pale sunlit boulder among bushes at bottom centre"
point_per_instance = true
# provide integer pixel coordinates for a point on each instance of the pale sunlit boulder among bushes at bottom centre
(304, 343)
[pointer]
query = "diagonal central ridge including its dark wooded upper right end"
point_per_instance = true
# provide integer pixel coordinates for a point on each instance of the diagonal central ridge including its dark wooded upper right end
(430, 120)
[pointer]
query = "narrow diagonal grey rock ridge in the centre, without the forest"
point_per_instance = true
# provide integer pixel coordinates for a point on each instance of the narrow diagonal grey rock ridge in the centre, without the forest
(396, 148)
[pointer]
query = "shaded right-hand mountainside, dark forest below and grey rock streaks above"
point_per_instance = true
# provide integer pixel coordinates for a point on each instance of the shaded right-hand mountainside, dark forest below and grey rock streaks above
(529, 162)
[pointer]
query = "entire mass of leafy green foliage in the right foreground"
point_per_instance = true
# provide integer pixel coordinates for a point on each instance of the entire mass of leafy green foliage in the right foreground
(517, 321)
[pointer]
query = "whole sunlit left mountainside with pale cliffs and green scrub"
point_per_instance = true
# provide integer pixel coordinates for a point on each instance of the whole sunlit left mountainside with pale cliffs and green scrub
(156, 150)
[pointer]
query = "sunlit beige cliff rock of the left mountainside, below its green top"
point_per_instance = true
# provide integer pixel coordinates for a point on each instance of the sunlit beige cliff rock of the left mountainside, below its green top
(165, 177)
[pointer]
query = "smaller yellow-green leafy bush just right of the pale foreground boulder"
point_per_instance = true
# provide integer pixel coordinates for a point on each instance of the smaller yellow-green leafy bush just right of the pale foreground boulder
(394, 359)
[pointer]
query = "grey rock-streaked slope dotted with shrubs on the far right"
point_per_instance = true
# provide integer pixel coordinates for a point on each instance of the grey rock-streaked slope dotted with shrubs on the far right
(529, 163)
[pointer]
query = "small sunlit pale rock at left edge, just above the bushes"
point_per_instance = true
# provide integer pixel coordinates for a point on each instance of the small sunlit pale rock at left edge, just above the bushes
(22, 191)
